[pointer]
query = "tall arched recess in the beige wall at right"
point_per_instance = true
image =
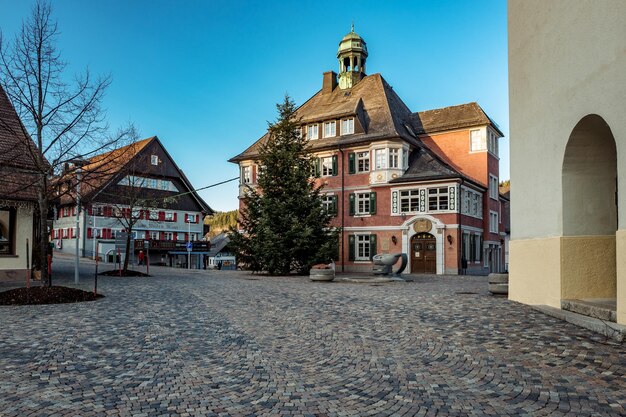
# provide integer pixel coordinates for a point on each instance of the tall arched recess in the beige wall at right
(589, 181)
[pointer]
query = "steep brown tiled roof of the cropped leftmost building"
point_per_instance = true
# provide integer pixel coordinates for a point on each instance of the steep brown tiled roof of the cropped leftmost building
(18, 154)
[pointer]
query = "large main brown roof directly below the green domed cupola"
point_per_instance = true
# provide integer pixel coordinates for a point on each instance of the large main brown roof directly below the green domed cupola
(380, 111)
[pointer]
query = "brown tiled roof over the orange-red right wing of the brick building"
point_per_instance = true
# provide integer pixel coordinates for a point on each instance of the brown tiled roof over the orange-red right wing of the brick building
(452, 117)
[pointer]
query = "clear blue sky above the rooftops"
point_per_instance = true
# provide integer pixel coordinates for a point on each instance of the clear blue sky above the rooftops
(204, 76)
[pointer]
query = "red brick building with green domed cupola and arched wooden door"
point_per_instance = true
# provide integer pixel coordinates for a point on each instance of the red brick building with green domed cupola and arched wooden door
(422, 183)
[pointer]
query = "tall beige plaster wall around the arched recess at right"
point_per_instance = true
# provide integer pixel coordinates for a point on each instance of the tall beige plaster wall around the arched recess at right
(567, 60)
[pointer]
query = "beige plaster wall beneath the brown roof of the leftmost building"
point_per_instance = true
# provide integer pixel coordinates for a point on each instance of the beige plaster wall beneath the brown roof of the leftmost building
(13, 267)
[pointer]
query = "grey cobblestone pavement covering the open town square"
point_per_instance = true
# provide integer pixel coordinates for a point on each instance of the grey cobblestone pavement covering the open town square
(231, 344)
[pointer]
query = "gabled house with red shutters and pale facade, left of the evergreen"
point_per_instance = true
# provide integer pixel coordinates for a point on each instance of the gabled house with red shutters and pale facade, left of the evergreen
(140, 183)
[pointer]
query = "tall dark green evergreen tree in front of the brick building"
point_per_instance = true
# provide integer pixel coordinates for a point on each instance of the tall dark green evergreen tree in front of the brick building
(285, 227)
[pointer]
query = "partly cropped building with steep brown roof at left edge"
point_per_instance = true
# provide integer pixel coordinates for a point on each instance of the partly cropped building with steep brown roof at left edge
(18, 195)
